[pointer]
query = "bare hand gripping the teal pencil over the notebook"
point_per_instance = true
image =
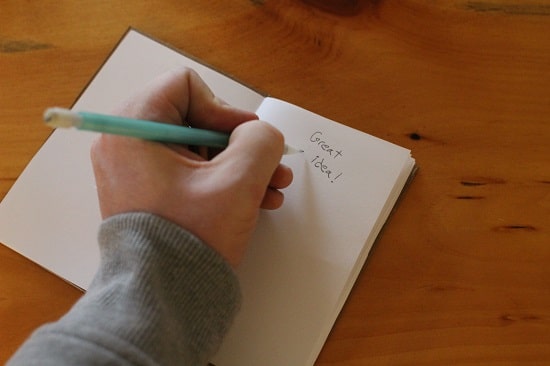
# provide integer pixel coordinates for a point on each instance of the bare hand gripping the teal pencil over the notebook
(218, 200)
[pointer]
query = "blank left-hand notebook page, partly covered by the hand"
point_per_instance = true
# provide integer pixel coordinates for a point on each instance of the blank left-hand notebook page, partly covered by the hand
(51, 214)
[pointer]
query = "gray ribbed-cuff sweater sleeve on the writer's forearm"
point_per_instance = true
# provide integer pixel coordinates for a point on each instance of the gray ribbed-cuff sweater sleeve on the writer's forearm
(160, 297)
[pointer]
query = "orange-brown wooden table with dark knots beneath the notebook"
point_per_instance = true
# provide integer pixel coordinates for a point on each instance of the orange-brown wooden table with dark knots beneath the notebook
(461, 274)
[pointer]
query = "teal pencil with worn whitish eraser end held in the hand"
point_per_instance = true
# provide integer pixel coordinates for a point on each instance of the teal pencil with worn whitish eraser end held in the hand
(147, 130)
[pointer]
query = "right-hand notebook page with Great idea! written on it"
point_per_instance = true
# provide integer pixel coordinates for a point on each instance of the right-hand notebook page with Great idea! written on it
(305, 256)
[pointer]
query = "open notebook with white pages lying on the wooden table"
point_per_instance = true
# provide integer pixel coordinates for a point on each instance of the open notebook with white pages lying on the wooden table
(304, 257)
